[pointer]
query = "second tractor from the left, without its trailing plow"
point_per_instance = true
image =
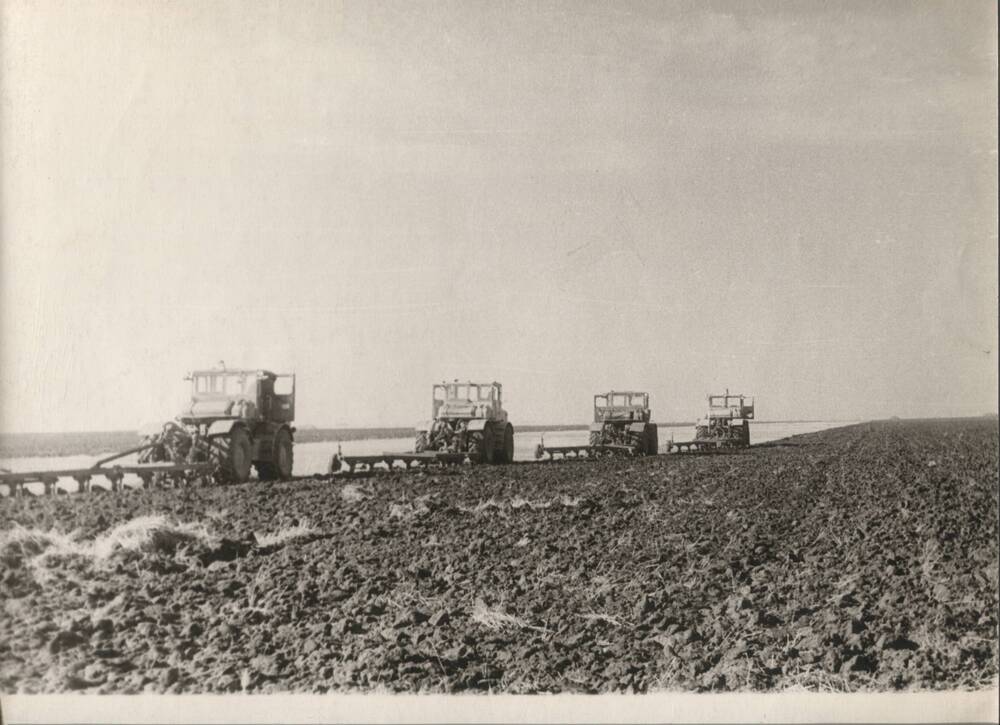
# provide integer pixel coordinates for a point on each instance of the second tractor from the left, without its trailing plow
(469, 418)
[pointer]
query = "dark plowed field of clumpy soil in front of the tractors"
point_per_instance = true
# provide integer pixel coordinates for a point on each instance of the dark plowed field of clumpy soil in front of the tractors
(859, 558)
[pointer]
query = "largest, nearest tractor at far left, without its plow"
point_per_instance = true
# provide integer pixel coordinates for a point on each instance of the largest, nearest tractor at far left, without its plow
(235, 419)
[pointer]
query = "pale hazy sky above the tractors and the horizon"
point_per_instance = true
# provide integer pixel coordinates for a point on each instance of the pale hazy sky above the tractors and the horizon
(791, 200)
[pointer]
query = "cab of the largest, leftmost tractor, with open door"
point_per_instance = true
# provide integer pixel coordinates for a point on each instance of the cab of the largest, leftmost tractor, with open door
(240, 394)
